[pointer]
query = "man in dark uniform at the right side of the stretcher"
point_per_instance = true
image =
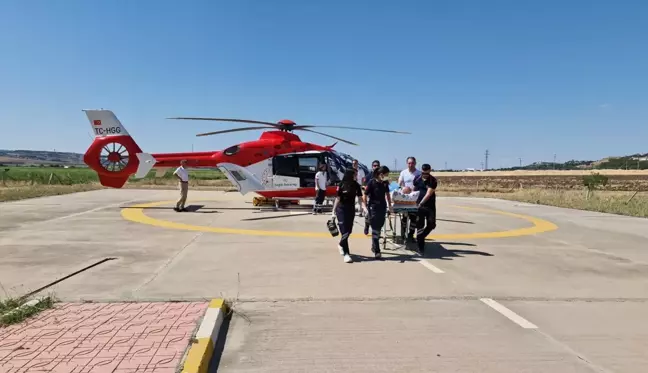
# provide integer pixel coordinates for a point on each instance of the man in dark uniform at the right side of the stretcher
(426, 185)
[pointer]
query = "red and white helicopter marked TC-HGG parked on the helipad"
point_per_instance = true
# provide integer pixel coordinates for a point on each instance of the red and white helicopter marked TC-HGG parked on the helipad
(279, 165)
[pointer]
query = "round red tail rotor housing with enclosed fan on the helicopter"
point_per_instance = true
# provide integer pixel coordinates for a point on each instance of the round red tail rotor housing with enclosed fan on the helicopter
(113, 158)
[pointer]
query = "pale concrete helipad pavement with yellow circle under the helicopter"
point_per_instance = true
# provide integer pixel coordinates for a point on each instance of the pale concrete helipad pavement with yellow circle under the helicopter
(504, 286)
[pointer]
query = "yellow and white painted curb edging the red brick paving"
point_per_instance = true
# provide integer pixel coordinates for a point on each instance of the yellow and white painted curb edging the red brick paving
(202, 348)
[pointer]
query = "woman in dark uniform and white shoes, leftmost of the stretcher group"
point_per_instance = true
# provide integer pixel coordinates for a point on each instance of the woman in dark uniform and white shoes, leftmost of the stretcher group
(344, 208)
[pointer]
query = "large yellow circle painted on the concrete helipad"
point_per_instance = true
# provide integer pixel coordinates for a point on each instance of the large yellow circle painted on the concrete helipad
(136, 213)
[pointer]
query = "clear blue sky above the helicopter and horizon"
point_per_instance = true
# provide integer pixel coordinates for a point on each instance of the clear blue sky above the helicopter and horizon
(514, 77)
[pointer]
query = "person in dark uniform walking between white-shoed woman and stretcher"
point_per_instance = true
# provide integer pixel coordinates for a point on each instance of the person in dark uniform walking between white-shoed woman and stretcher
(377, 200)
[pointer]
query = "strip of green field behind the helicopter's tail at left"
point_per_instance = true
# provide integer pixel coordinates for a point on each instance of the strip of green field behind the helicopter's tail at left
(81, 175)
